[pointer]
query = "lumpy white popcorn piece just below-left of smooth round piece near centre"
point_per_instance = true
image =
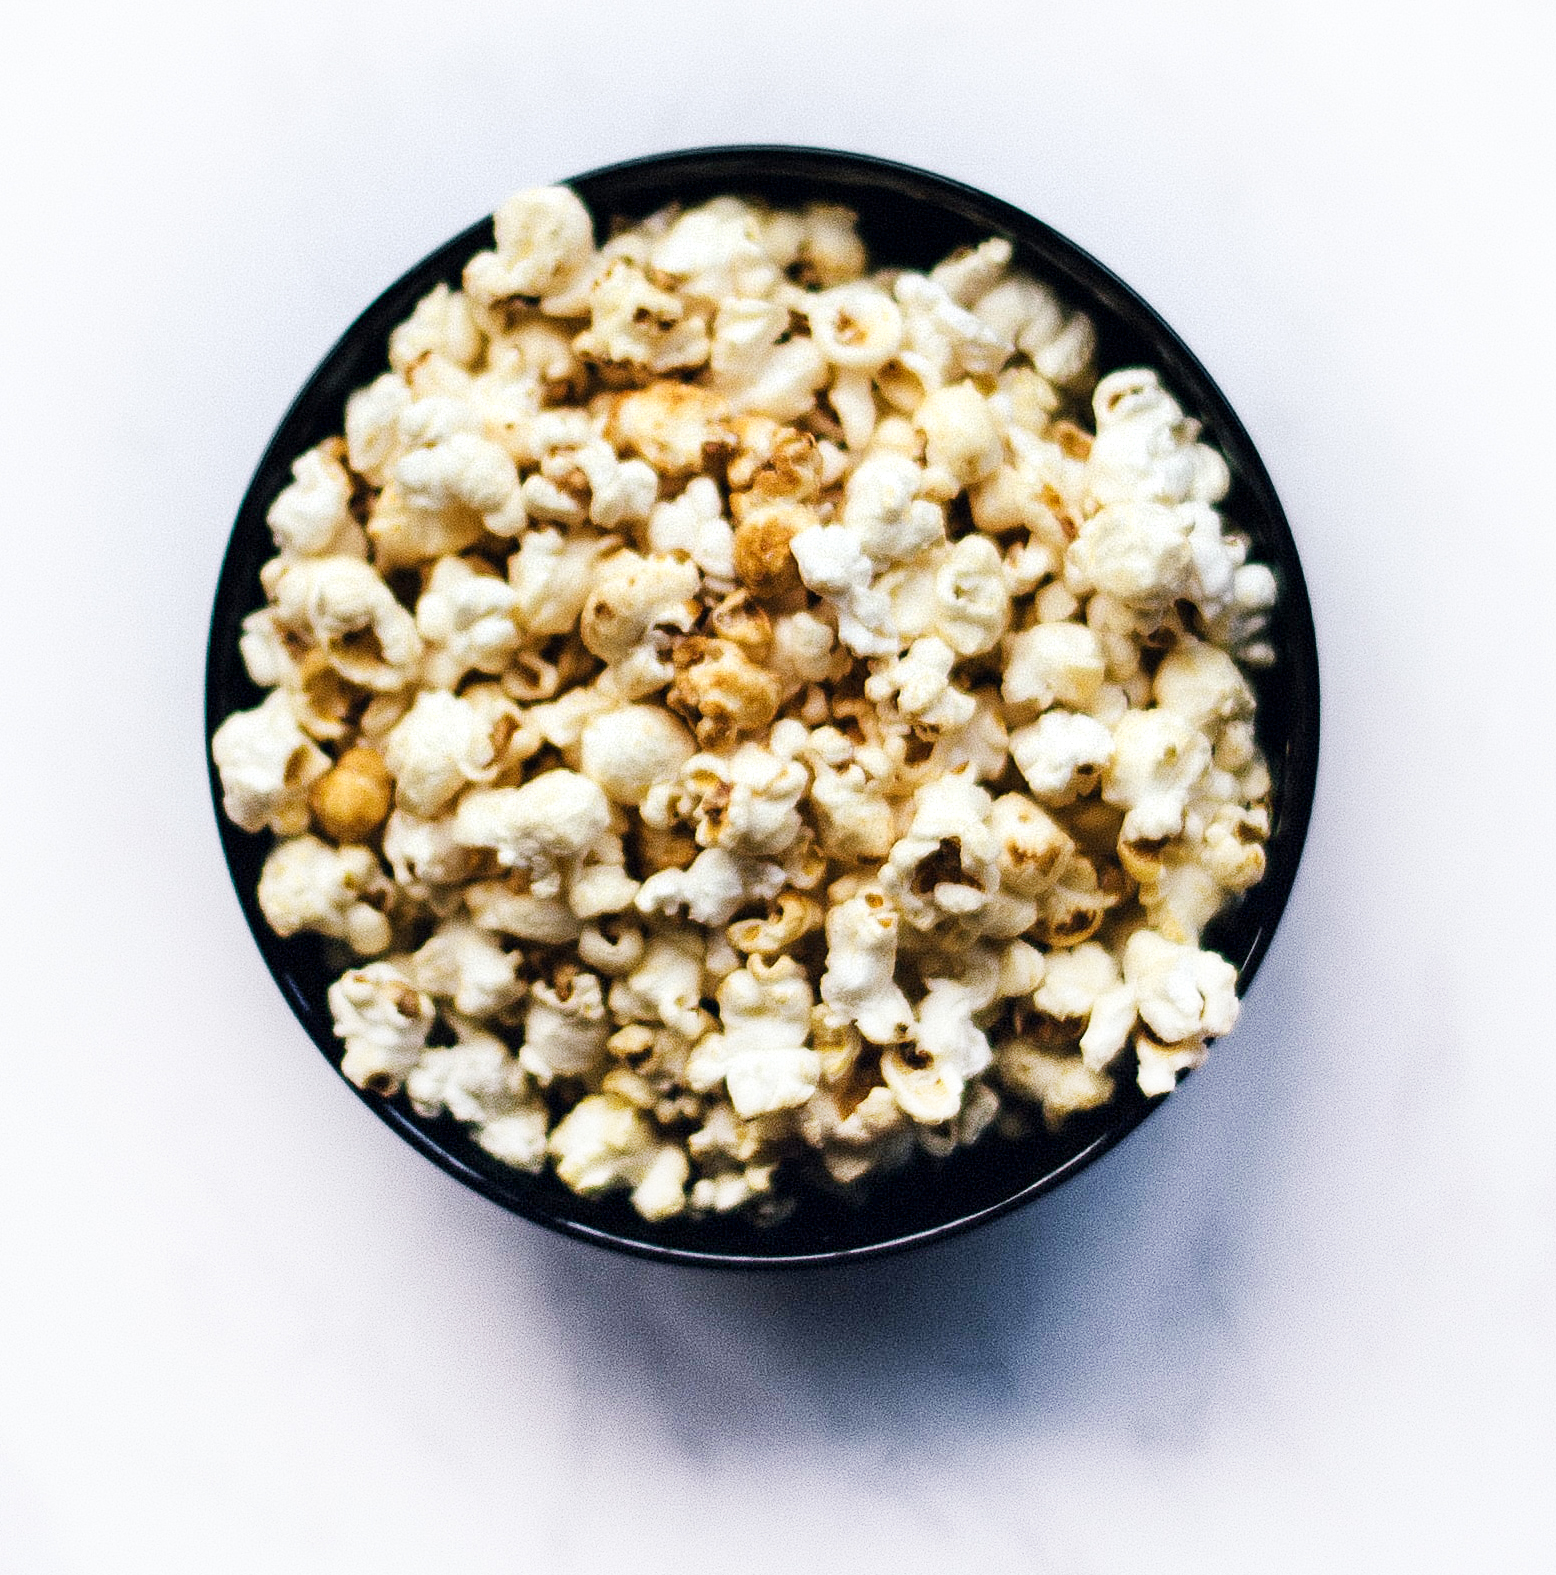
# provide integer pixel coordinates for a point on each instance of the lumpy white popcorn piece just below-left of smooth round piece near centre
(544, 829)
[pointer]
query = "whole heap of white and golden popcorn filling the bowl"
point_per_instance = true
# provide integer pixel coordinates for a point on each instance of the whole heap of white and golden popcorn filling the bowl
(733, 703)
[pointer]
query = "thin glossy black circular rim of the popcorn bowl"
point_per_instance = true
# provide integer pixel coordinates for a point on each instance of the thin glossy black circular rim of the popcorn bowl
(1097, 284)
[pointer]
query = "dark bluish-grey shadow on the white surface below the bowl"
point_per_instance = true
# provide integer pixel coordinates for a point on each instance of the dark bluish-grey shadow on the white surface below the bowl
(1114, 1302)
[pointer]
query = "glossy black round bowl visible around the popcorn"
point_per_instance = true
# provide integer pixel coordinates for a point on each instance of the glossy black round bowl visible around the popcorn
(913, 220)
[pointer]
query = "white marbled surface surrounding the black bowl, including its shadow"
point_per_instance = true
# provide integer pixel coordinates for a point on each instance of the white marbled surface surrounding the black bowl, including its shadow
(1305, 1321)
